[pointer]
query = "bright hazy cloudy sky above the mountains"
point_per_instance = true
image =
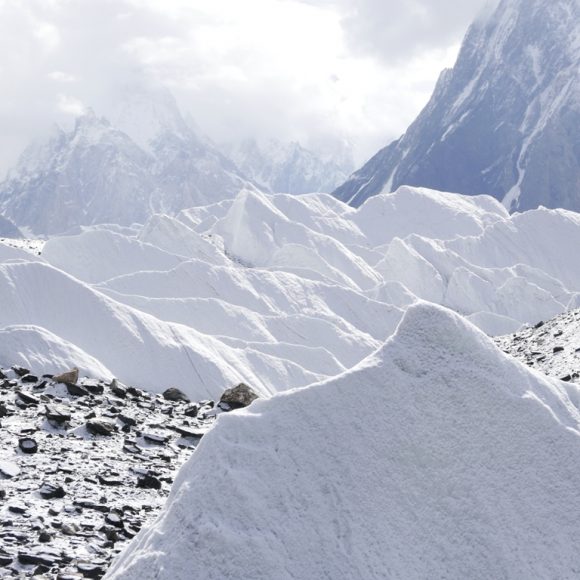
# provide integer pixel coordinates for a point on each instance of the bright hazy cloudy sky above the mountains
(319, 71)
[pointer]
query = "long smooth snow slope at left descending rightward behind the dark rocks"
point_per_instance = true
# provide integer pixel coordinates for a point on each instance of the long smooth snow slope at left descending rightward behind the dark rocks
(131, 344)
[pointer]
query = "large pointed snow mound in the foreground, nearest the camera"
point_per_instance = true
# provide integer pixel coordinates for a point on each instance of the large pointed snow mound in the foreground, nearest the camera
(438, 457)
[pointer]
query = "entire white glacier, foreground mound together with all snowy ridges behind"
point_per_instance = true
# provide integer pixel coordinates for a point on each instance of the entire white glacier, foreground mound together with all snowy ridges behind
(393, 438)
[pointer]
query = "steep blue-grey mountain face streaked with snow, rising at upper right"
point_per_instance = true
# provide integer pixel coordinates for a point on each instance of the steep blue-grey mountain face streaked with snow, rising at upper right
(504, 121)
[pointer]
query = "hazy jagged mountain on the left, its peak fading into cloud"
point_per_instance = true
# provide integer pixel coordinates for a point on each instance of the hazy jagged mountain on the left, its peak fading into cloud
(149, 160)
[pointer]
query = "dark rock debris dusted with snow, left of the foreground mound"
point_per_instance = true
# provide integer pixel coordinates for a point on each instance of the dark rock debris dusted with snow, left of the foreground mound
(84, 464)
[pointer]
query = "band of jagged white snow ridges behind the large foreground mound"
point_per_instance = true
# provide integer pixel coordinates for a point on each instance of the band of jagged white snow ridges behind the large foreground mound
(281, 291)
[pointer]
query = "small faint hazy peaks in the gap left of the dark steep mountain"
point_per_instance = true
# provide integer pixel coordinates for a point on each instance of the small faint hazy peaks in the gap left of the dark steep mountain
(289, 167)
